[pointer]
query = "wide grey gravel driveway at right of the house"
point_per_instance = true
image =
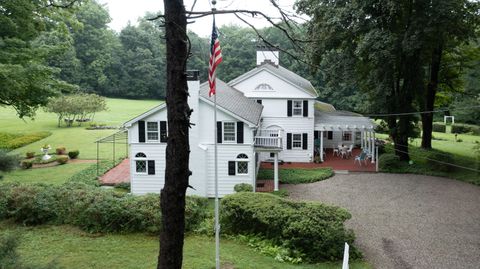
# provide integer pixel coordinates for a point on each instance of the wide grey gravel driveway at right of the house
(406, 221)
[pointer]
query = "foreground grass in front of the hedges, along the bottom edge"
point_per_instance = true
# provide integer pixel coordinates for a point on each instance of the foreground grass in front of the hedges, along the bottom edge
(72, 248)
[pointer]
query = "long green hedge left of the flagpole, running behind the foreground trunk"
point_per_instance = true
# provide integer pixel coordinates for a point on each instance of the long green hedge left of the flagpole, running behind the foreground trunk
(90, 208)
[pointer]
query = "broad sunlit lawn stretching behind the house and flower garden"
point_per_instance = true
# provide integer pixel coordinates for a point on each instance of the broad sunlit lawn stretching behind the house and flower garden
(119, 111)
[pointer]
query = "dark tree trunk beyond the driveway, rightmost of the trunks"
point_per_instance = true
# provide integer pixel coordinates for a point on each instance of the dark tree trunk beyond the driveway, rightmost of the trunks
(429, 102)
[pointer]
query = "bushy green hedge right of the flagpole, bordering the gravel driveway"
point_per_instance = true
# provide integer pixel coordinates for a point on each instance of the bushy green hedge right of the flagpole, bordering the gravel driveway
(316, 230)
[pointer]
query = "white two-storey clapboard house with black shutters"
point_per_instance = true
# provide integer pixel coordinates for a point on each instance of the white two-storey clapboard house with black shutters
(267, 113)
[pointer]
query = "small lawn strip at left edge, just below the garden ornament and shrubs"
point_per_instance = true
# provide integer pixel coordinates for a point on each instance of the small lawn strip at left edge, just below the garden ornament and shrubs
(55, 175)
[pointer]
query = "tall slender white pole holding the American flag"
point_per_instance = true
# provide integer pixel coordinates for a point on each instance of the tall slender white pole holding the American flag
(217, 213)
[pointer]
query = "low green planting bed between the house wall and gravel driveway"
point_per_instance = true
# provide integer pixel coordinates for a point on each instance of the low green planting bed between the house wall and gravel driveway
(297, 176)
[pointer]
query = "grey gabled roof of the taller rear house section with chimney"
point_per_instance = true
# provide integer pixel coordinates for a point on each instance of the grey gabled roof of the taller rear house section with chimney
(282, 72)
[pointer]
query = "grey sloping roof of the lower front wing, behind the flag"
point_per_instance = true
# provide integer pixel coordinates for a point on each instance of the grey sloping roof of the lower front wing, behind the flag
(234, 101)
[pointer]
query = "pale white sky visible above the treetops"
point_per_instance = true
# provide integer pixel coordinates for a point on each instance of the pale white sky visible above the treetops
(123, 11)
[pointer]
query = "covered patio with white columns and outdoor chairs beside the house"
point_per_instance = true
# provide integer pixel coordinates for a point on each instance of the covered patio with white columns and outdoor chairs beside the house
(343, 134)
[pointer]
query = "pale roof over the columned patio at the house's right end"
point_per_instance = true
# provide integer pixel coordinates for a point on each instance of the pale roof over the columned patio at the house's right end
(342, 121)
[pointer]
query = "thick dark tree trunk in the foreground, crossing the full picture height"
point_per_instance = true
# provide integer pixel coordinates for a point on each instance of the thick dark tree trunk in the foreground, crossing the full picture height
(172, 198)
